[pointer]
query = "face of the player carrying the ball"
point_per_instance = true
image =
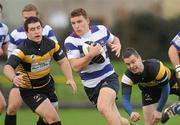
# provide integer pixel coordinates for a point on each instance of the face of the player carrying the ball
(80, 25)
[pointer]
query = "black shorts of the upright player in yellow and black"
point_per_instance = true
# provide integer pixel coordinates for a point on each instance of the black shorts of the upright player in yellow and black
(34, 97)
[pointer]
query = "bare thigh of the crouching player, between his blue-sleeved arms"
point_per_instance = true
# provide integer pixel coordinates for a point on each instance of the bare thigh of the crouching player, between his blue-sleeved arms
(148, 113)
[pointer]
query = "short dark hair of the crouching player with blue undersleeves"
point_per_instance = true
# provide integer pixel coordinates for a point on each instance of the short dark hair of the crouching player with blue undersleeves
(127, 52)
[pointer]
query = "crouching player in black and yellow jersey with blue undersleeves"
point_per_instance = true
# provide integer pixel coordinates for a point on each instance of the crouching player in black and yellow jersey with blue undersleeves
(154, 80)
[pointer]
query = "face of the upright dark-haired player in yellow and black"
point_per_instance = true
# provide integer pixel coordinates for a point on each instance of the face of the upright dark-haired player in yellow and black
(34, 32)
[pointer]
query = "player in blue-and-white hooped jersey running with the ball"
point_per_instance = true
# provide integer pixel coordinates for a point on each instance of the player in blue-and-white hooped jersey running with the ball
(99, 79)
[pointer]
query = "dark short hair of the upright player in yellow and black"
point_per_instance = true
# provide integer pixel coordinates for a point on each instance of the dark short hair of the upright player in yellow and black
(31, 20)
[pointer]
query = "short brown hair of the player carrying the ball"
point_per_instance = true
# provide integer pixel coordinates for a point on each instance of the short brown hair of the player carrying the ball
(79, 12)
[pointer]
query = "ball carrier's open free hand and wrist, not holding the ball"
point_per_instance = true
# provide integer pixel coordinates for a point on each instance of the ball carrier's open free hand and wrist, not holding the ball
(115, 46)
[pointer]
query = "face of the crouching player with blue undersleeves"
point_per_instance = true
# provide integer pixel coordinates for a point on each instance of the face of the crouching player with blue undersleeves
(134, 64)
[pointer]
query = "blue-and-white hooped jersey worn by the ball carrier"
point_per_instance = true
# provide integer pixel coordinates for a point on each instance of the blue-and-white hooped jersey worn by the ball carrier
(93, 73)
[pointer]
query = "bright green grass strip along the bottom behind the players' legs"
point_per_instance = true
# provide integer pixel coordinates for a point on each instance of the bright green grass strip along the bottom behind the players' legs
(75, 117)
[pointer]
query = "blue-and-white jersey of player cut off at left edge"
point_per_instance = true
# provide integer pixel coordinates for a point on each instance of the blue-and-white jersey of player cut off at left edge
(4, 36)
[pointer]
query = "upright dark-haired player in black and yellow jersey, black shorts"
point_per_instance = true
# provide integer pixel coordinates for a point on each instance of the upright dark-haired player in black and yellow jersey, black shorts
(32, 63)
